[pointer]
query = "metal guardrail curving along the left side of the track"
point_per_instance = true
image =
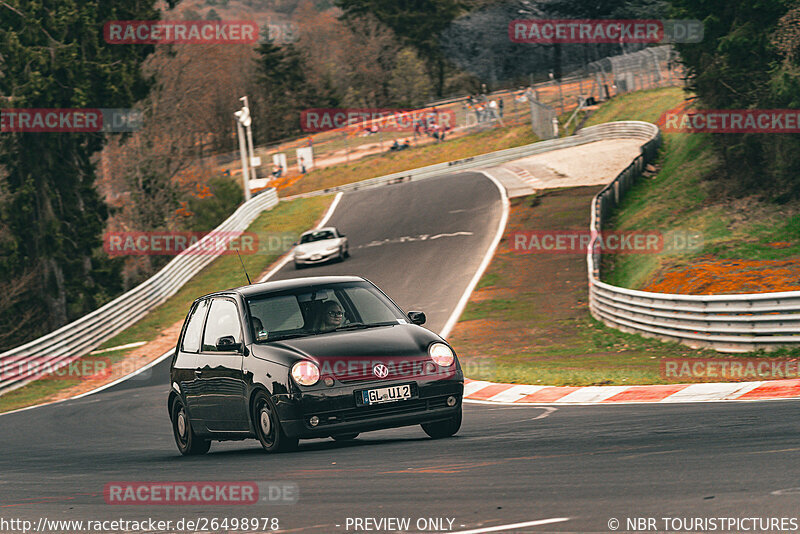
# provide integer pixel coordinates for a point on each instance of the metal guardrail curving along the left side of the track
(20, 365)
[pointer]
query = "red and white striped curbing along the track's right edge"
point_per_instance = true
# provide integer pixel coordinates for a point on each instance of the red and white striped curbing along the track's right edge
(478, 390)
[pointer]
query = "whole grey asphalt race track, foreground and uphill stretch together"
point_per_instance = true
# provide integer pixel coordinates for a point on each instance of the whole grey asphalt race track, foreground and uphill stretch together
(507, 464)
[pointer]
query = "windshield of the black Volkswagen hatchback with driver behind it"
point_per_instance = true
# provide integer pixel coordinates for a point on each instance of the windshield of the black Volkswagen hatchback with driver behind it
(320, 309)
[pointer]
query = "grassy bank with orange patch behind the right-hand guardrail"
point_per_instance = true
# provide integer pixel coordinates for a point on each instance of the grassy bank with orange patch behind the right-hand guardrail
(738, 244)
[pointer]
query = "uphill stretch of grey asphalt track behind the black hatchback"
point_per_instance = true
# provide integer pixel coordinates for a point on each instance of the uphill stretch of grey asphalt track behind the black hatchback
(420, 242)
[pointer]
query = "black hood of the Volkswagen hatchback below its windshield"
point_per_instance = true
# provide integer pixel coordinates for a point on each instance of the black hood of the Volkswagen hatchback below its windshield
(352, 355)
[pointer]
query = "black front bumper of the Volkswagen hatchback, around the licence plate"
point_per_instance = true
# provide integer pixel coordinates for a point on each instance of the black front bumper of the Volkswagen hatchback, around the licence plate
(338, 413)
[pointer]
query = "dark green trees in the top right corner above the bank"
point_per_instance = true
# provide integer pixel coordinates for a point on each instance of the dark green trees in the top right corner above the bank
(749, 59)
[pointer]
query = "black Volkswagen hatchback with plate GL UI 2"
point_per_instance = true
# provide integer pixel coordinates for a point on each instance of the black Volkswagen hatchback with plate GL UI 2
(308, 358)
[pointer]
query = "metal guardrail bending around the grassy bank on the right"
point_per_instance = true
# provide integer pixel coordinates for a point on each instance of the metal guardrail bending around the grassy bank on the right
(727, 323)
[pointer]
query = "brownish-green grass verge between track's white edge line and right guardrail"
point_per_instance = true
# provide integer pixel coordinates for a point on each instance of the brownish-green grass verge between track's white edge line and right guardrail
(528, 321)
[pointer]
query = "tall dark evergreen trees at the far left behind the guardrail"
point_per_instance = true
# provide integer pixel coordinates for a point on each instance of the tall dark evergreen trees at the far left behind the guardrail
(52, 55)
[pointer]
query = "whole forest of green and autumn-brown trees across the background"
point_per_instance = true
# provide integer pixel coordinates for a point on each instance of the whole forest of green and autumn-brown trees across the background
(349, 53)
